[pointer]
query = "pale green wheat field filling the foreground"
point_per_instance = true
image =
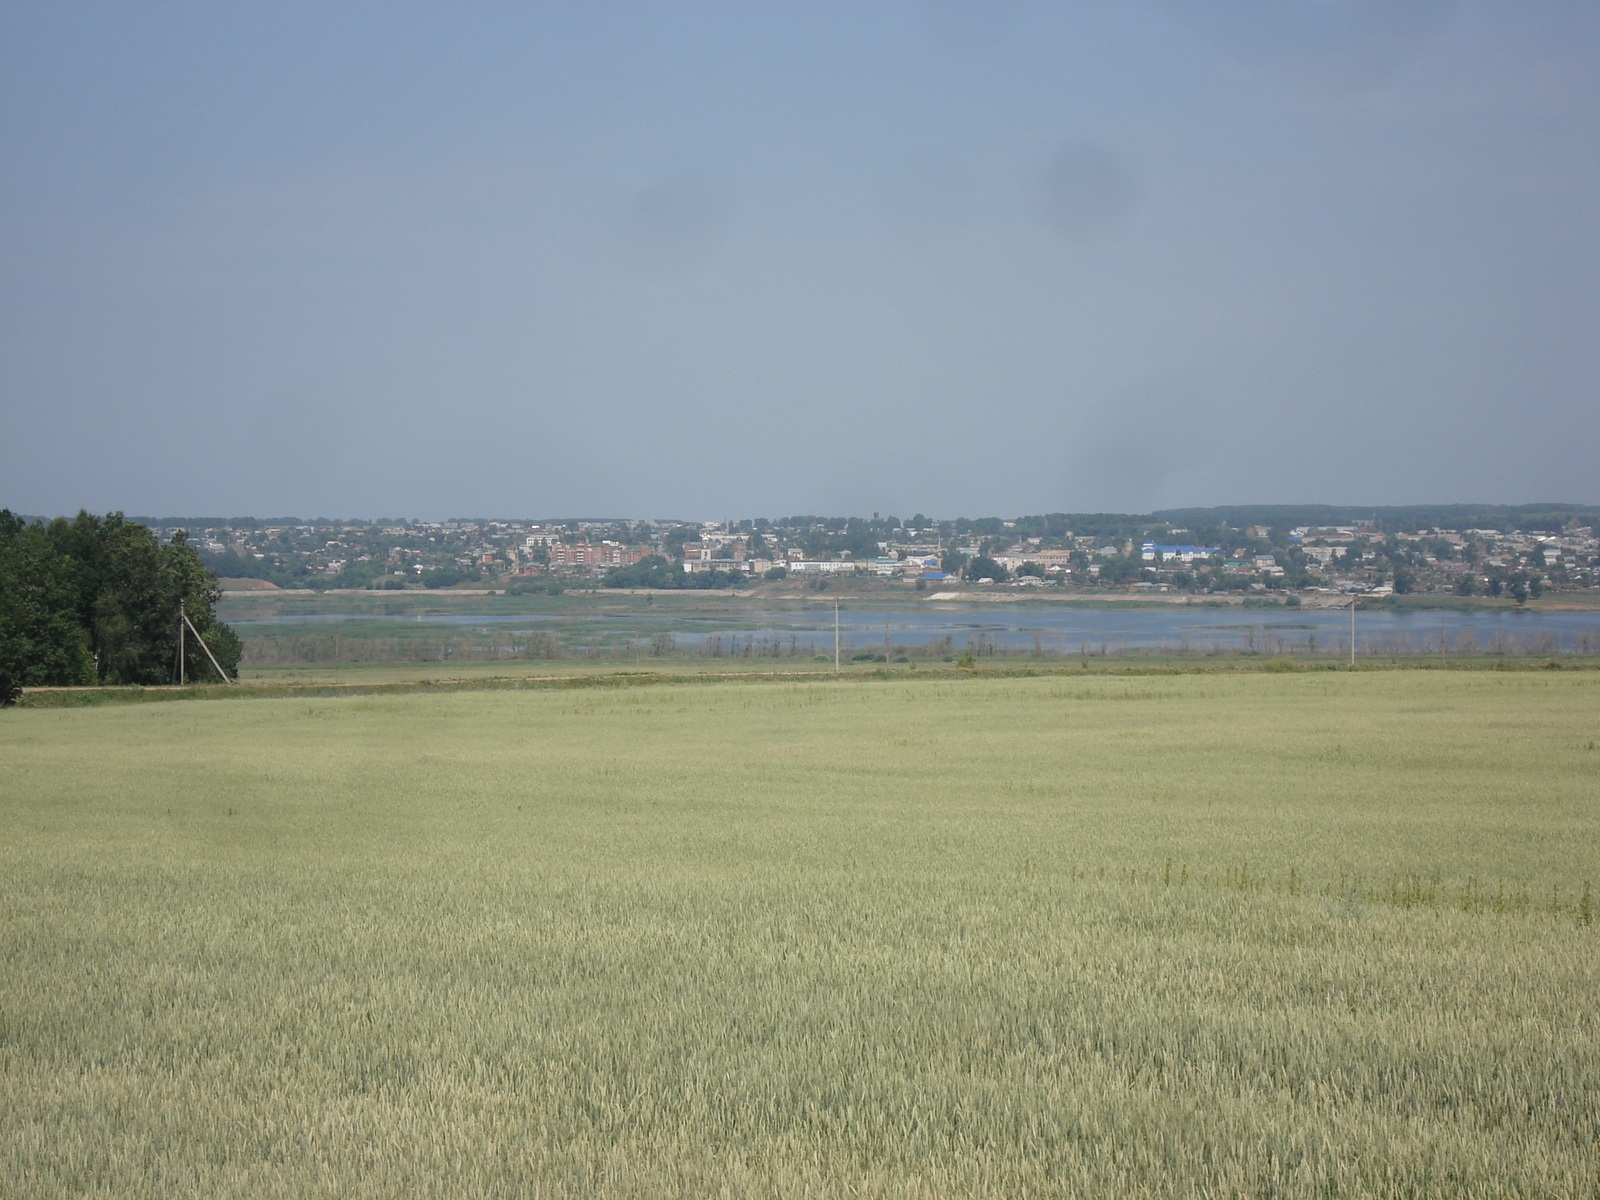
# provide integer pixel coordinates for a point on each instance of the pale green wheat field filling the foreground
(1297, 935)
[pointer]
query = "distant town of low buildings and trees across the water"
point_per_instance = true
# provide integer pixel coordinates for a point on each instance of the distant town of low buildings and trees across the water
(1505, 553)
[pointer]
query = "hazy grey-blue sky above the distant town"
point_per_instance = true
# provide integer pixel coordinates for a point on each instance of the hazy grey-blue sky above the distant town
(759, 260)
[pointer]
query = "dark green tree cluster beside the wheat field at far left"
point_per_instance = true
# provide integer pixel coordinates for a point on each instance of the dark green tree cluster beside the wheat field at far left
(97, 601)
